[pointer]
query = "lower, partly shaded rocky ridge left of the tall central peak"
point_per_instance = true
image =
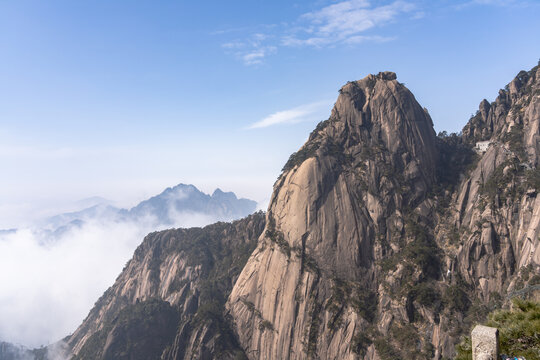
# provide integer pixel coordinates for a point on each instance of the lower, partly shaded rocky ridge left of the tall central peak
(167, 302)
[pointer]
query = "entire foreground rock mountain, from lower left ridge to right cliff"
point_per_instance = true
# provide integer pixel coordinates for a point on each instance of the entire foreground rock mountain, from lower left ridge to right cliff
(382, 240)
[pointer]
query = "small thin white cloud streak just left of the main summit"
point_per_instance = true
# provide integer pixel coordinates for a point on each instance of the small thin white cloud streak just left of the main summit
(298, 114)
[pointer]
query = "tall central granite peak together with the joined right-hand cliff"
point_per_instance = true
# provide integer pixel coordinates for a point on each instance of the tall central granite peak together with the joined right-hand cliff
(385, 241)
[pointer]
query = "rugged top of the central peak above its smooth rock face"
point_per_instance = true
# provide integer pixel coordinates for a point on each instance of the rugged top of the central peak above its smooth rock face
(373, 114)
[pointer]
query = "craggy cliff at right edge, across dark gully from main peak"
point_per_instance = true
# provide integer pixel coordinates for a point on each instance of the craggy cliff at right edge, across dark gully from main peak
(496, 207)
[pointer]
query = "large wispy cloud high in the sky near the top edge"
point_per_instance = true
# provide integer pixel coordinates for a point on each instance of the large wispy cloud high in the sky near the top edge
(344, 22)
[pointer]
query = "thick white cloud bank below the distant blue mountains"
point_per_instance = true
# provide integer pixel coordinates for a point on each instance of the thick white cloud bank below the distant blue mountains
(49, 284)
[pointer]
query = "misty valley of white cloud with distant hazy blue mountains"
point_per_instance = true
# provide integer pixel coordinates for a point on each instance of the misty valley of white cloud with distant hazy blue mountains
(53, 273)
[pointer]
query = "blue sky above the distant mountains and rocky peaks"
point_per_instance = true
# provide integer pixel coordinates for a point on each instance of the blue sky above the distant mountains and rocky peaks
(123, 98)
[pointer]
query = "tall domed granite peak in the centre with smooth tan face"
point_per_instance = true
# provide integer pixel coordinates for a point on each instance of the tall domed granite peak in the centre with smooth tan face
(338, 211)
